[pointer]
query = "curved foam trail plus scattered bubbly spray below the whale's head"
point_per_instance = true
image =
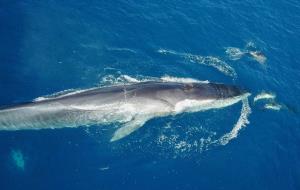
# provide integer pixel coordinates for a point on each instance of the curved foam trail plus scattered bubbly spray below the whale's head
(184, 145)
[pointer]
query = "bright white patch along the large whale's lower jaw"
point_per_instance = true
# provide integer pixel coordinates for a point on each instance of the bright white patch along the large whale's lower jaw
(189, 105)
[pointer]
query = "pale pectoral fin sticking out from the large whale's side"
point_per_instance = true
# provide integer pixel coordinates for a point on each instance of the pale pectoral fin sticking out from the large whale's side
(128, 128)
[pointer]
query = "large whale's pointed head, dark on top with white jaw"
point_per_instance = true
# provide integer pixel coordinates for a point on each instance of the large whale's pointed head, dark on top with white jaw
(201, 96)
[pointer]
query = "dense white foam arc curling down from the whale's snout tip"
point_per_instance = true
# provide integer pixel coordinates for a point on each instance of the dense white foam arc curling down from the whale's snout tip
(241, 123)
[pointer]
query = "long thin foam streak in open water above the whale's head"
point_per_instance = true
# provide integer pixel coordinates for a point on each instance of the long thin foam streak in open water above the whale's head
(210, 61)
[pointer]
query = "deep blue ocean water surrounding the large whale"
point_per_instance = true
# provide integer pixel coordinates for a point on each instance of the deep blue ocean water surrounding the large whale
(52, 46)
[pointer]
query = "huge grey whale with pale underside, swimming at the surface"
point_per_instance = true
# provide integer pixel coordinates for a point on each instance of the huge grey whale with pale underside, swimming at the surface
(131, 105)
